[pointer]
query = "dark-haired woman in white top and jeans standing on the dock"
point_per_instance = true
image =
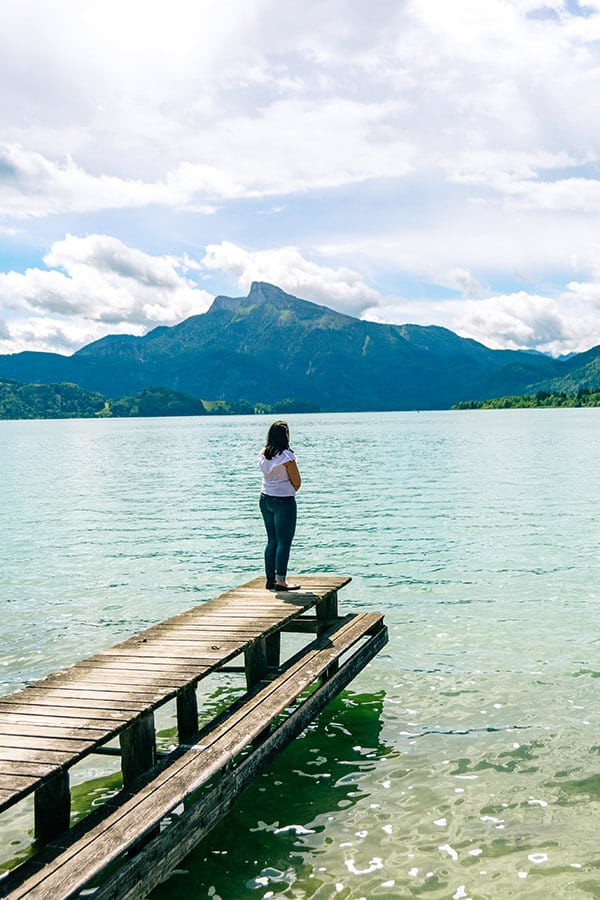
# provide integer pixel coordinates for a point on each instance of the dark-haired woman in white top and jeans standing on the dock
(281, 480)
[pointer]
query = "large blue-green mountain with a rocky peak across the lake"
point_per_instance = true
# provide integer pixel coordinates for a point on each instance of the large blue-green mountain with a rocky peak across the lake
(270, 345)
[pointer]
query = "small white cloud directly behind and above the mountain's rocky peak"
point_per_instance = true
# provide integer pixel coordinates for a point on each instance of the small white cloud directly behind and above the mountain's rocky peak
(340, 288)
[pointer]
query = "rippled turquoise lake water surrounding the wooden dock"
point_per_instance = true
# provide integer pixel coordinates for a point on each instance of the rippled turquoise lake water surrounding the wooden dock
(464, 761)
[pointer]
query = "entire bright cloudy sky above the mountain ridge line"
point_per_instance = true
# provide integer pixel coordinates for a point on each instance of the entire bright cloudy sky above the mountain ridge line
(427, 161)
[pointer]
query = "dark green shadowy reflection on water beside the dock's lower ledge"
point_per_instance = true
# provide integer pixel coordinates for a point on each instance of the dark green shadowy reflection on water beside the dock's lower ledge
(281, 825)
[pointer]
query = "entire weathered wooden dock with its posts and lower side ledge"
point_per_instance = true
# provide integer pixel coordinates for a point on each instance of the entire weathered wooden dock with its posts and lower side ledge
(121, 848)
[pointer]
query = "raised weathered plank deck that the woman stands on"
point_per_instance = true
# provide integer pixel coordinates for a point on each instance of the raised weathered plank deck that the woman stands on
(51, 724)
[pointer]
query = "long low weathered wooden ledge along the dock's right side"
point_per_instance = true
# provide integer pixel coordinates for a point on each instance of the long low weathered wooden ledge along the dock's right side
(88, 853)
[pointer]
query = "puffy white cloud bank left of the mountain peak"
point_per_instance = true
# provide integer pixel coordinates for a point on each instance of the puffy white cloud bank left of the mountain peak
(94, 286)
